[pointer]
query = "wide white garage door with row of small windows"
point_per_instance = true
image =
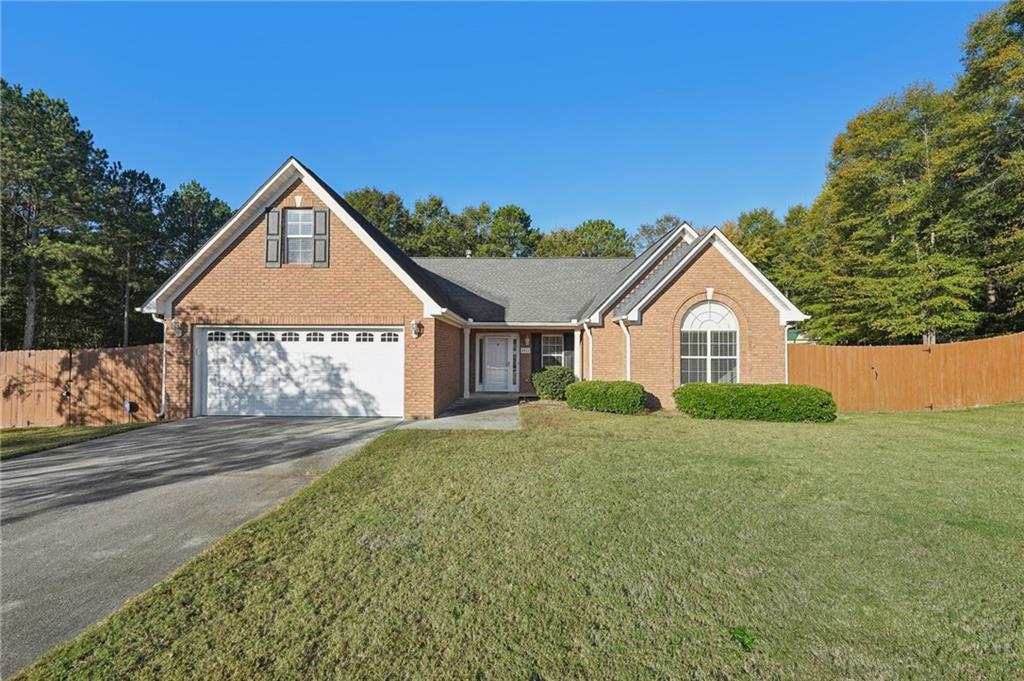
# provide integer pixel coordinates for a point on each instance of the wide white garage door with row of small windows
(301, 372)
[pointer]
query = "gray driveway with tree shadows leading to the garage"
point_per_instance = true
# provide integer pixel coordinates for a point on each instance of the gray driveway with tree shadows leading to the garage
(88, 527)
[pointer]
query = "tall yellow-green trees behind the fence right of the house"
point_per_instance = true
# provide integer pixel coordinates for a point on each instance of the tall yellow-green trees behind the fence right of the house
(919, 231)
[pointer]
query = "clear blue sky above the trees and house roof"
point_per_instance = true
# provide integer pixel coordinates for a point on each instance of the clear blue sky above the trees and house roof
(572, 111)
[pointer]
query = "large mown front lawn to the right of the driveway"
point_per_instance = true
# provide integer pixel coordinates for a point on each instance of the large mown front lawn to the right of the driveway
(599, 546)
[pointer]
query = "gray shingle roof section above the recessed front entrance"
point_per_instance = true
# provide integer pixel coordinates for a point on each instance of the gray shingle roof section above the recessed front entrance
(525, 289)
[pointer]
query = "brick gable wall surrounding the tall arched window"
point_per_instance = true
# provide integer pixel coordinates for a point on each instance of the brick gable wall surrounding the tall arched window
(656, 342)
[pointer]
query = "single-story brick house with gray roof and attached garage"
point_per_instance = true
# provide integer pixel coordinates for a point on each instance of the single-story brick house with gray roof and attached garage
(300, 307)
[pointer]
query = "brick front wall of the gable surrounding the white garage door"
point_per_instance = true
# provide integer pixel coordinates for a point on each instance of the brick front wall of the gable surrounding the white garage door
(356, 289)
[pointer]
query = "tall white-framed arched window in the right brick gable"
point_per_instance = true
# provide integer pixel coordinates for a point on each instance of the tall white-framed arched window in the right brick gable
(709, 343)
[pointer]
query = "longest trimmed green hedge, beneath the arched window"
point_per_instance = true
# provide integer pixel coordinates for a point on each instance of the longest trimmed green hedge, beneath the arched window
(755, 403)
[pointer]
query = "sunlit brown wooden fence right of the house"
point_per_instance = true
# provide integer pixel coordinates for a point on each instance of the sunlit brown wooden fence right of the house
(908, 378)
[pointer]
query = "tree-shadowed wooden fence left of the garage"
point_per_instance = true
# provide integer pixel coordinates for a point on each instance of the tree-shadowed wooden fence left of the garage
(80, 388)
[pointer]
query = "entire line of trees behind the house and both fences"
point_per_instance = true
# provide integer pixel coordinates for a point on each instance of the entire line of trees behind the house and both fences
(917, 234)
